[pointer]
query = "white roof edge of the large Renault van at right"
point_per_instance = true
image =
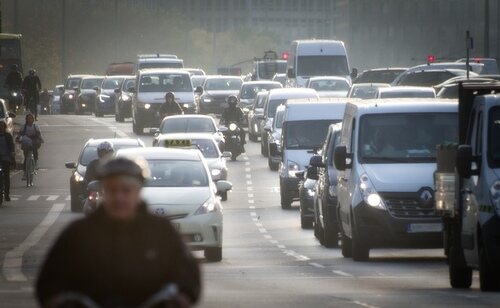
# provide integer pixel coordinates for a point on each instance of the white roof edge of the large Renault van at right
(403, 105)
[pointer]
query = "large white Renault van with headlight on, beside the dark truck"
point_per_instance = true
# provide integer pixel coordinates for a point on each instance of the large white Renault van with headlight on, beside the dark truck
(386, 161)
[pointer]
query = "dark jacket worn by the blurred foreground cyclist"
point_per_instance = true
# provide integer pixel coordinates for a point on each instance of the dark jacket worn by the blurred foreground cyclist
(117, 263)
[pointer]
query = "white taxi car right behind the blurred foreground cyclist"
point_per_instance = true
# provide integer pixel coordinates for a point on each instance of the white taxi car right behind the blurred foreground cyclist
(180, 189)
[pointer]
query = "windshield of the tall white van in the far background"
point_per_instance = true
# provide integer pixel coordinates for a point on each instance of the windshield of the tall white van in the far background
(322, 66)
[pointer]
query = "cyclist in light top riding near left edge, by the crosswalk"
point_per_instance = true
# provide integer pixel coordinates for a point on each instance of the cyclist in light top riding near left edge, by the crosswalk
(31, 139)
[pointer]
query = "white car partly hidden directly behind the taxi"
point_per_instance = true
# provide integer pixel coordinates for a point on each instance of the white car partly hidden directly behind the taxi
(207, 145)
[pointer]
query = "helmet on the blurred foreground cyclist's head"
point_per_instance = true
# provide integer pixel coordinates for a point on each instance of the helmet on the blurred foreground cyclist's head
(125, 167)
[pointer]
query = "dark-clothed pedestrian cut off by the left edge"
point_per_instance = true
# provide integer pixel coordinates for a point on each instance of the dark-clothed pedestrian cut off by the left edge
(7, 157)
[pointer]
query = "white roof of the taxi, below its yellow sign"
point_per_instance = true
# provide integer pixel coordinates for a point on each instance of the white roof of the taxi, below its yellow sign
(161, 153)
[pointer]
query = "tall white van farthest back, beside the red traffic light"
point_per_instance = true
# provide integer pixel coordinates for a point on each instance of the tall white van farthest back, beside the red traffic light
(310, 58)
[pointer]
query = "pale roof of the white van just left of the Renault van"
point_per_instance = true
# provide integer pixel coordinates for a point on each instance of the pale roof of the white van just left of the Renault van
(325, 109)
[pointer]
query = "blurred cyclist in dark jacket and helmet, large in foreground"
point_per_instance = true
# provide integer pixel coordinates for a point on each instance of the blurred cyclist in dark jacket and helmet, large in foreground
(121, 254)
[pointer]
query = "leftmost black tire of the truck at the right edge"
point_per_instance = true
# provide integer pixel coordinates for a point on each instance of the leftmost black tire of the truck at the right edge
(460, 274)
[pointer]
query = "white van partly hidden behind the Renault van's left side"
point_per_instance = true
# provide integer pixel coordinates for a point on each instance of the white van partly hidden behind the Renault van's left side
(304, 130)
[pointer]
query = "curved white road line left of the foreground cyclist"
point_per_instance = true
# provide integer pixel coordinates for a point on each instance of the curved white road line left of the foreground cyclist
(12, 267)
